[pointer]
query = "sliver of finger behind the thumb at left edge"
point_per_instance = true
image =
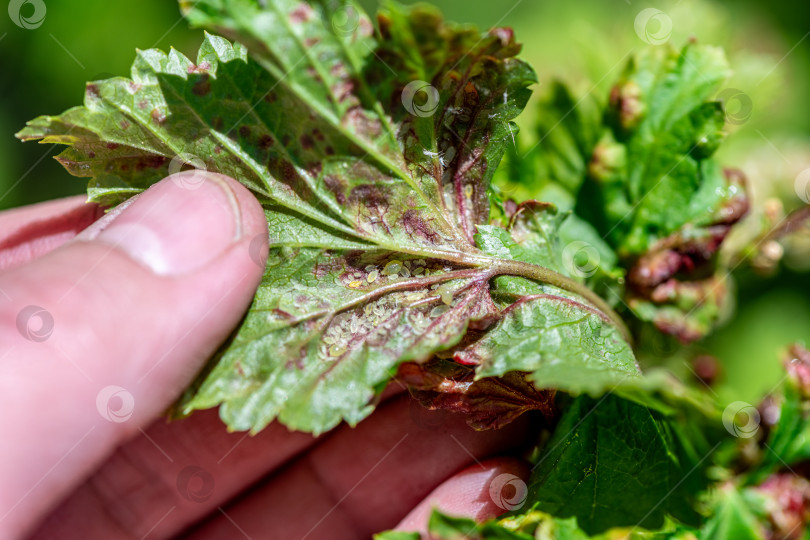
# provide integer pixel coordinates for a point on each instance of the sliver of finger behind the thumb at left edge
(31, 231)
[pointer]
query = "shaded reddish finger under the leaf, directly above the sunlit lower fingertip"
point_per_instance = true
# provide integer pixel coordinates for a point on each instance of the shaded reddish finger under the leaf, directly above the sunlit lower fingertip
(361, 481)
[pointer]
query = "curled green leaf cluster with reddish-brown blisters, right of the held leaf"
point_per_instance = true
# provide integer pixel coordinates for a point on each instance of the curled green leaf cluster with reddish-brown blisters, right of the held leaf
(639, 168)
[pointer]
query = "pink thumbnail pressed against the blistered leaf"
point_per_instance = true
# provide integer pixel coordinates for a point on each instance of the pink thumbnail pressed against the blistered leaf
(178, 225)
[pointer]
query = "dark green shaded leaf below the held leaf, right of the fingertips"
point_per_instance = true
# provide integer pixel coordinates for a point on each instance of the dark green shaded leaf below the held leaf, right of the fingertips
(613, 463)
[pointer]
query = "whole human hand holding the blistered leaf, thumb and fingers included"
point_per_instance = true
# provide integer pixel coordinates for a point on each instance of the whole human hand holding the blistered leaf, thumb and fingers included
(100, 333)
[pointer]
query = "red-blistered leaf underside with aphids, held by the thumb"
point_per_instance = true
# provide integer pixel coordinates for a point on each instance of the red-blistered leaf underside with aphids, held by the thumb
(376, 196)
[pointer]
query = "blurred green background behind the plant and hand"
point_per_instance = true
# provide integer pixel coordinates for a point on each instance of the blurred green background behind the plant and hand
(586, 43)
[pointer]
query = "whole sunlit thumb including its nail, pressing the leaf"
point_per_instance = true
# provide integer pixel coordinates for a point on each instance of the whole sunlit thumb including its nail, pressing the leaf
(99, 336)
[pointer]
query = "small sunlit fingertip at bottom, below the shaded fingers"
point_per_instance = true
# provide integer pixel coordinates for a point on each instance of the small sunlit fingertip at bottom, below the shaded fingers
(467, 494)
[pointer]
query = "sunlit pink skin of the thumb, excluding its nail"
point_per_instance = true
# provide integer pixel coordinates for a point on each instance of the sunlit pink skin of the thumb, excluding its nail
(117, 324)
